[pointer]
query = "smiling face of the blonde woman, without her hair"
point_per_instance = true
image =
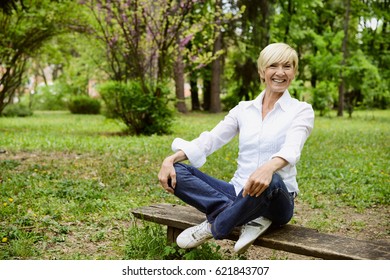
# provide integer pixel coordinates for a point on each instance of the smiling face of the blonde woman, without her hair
(278, 77)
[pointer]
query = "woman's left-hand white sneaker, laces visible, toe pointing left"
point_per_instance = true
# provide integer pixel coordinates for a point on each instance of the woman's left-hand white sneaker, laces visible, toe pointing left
(194, 236)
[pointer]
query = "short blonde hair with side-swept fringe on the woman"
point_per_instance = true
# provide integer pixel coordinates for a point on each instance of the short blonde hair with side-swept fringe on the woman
(276, 53)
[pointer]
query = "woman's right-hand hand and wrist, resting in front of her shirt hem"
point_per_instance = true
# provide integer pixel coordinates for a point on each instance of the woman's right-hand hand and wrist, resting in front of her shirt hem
(259, 180)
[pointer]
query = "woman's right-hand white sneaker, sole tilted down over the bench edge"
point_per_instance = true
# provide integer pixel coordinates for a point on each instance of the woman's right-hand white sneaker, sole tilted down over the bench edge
(249, 233)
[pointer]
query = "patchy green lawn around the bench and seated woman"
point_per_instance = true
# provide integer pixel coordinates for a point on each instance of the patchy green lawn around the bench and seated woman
(68, 183)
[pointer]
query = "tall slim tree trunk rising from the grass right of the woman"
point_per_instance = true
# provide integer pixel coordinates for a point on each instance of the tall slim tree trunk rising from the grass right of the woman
(340, 111)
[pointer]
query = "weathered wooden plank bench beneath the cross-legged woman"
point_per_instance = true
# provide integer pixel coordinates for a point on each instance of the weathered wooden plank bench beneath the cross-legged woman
(289, 238)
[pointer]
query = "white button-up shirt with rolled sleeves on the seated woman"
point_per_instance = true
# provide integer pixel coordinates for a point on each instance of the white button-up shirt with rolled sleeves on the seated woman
(282, 133)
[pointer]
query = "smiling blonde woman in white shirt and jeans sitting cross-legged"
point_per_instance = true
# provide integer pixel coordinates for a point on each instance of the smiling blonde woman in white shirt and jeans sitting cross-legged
(272, 130)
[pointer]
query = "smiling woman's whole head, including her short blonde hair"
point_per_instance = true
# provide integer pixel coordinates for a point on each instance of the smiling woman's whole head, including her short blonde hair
(277, 65)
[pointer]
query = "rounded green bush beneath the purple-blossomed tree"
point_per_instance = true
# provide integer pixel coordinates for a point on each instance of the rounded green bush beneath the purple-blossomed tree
(141, 109)
